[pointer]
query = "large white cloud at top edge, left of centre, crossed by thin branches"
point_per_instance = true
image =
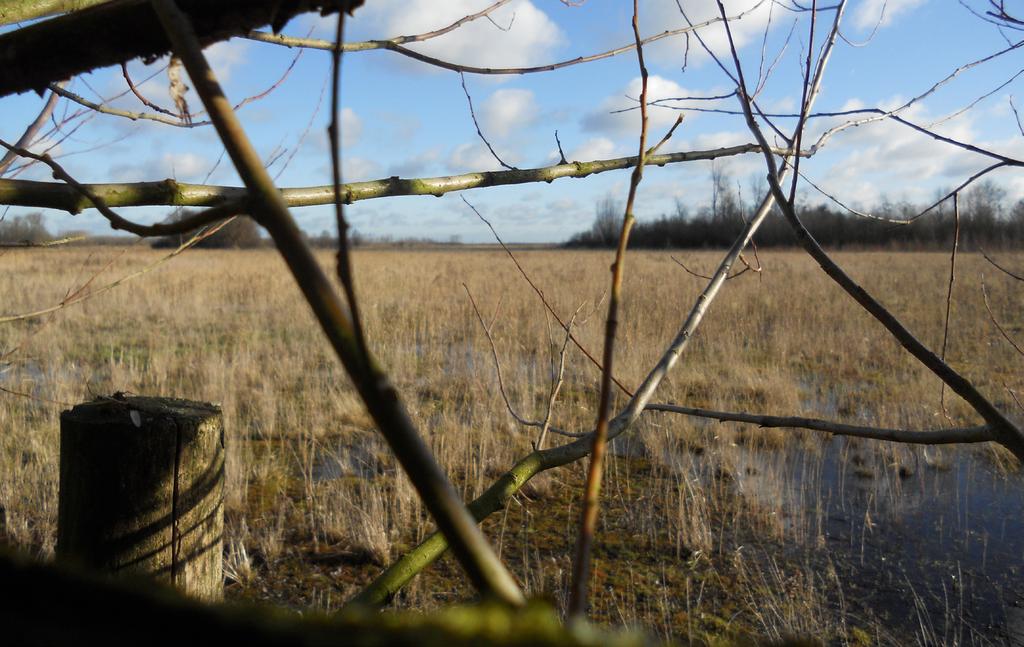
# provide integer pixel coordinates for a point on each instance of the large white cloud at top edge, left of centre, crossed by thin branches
(528, 35)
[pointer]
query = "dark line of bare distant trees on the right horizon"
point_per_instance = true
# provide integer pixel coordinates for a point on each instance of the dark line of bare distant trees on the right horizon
(986, 222)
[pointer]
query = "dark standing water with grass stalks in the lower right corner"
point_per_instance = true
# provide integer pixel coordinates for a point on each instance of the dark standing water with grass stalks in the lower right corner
(933, 543)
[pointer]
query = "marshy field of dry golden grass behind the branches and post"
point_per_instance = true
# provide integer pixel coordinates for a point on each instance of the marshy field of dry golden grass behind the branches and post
(709, 530)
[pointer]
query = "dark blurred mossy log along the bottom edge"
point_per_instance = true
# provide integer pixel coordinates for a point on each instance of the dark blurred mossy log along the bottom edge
(58, 606)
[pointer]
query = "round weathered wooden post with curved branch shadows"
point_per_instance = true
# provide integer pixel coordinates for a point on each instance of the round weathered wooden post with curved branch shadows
(142, 491)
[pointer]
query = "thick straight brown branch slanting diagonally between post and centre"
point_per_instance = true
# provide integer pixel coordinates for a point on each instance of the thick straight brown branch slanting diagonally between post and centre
(476, 555)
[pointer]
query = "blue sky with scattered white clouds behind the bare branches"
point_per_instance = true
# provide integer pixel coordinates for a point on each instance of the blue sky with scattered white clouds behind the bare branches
(404, 118)
